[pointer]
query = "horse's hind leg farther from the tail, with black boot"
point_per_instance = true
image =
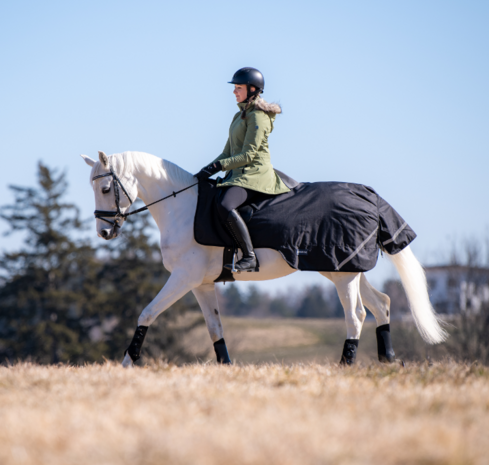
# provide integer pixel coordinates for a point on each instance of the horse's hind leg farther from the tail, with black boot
(348, 288)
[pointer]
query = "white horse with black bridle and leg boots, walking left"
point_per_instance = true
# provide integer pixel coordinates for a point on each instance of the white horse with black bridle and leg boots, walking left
(121, 178)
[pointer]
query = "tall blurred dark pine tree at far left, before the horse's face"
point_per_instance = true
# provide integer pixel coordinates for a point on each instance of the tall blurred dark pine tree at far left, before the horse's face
(40, 314)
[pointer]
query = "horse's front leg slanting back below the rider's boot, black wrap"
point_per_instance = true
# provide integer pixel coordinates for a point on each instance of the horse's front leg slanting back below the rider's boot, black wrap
(206, 296)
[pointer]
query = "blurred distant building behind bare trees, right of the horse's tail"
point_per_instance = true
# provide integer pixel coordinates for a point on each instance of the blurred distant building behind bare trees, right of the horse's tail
(455, 288)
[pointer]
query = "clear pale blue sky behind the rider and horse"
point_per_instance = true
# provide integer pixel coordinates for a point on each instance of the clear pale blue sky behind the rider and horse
(389, 94)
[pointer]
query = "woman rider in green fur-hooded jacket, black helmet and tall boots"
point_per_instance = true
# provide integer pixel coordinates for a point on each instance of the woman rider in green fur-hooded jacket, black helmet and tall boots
(246, 159)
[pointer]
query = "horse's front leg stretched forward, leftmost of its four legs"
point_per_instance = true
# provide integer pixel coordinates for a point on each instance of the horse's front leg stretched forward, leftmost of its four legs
(180, 282)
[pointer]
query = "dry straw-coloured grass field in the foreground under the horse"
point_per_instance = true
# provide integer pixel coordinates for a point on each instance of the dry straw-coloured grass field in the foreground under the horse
(244, 414)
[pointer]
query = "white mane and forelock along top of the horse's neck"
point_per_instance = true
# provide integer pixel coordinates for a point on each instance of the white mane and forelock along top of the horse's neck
(157, 168)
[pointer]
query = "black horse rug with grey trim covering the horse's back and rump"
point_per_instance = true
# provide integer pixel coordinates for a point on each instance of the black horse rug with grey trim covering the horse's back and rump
(323, 226)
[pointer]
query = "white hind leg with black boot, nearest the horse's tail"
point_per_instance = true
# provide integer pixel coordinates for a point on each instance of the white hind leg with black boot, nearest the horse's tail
(379, 304)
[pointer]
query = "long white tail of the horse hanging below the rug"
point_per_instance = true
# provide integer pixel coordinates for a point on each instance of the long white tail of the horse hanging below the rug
(414, 282)
